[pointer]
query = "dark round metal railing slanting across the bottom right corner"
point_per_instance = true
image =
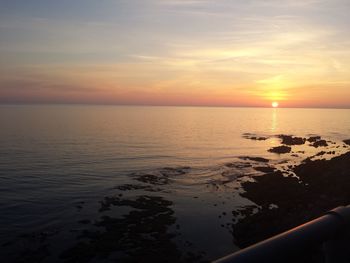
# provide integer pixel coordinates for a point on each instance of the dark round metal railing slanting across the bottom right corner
(326, 230)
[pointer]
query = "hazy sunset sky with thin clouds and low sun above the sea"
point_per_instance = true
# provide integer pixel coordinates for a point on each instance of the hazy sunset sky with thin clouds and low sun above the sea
(176, 52)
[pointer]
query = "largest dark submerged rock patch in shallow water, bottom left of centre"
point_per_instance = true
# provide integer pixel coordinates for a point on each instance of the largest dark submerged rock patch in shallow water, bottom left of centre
(142, 235)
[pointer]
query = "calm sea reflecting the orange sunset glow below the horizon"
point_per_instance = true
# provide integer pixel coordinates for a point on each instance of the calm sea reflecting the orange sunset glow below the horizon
(65, 169)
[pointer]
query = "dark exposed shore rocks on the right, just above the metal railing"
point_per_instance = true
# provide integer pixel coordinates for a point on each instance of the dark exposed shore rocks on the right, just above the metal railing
(288, 201)
